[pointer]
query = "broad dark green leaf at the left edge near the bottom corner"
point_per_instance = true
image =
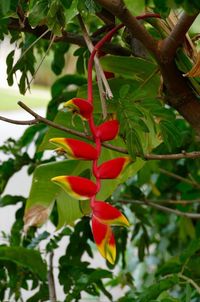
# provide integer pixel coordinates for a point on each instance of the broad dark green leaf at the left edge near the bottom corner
(29, 259)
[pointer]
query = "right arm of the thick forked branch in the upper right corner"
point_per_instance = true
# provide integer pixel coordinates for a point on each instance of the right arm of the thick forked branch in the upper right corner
(176, 37)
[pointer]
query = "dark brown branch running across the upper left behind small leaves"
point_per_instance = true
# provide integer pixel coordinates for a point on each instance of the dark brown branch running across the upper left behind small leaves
(66, 37)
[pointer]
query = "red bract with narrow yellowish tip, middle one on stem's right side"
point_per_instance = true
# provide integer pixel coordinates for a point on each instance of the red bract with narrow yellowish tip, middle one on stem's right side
(112, 168)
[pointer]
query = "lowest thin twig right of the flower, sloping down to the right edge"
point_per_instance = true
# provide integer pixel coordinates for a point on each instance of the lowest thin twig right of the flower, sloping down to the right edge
(162, 208)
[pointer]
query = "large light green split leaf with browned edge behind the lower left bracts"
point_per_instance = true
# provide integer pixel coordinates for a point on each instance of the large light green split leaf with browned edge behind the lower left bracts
(44, 192)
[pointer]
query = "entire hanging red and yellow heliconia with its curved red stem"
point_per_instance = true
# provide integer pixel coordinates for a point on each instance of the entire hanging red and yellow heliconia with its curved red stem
(104, 215)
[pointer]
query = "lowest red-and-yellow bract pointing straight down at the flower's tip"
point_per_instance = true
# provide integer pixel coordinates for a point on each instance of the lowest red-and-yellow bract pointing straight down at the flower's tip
(104, 239)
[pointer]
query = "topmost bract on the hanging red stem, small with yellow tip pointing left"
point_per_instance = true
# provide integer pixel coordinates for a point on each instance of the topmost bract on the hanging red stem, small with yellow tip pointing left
(81, 106)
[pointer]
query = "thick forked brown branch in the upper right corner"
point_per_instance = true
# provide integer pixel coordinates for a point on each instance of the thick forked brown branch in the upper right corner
(179, 94)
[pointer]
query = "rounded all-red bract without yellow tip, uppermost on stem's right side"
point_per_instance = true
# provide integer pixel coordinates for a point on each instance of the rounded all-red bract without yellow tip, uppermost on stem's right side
(108, 130)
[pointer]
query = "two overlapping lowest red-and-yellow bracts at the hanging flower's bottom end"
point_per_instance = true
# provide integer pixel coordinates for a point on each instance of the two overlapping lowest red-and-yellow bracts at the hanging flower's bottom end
(103, 217)
